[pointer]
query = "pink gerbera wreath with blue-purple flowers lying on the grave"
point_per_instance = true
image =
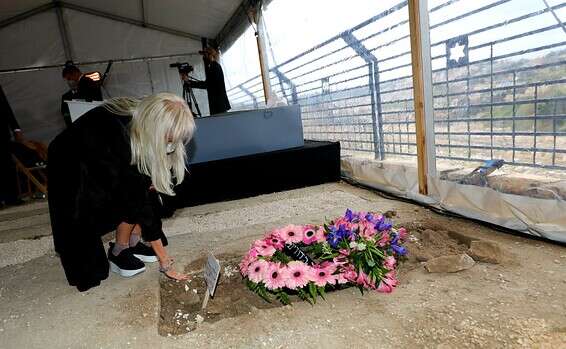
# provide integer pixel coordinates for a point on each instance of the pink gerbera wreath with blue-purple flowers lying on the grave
(358, 249)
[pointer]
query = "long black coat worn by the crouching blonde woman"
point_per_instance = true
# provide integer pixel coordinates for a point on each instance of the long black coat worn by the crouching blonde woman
(93, 188)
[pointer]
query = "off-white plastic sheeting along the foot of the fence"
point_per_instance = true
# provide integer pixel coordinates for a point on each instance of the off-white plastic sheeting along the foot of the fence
(540, 217)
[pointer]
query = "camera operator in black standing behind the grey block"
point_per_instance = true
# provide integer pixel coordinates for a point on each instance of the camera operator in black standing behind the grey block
(214, 83)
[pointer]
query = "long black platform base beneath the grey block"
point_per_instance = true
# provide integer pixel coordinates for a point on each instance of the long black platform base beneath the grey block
(246, 176)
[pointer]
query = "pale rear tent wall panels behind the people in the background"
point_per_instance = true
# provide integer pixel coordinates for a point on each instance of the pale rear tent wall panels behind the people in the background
(35, 95)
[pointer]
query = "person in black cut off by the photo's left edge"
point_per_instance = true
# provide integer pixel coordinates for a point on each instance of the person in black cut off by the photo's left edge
(8, 126)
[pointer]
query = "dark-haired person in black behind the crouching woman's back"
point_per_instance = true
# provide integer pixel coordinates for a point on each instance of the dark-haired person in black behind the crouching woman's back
(81, 87)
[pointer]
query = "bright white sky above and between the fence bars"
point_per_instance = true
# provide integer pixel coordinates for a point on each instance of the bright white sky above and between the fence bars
(294, 26)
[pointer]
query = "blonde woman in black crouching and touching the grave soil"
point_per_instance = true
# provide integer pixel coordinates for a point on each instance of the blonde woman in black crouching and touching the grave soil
(107, 171)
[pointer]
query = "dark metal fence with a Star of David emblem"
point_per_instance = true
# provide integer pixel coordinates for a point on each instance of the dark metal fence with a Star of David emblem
(499, 88)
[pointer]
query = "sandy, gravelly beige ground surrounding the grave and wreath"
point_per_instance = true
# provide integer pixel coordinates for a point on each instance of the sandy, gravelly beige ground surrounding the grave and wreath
(512, 305)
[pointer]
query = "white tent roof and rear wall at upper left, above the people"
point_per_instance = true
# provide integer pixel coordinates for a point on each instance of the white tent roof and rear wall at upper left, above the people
(142, 37)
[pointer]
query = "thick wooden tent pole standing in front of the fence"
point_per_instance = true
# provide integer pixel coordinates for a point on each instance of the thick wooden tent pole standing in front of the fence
(422, 92)
